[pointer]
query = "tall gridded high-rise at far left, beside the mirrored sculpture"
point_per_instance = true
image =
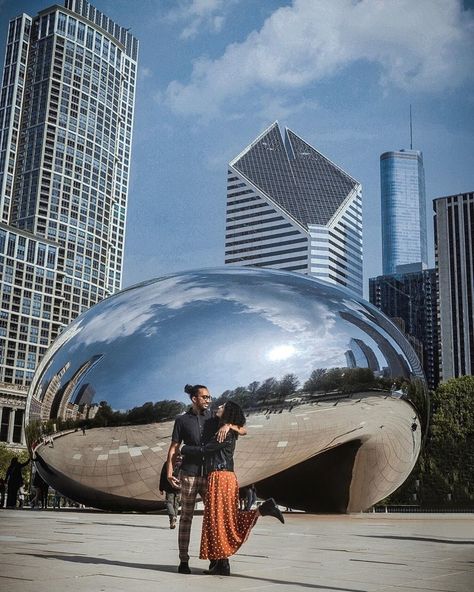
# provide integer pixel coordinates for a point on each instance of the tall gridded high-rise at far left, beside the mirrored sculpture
(66, 115)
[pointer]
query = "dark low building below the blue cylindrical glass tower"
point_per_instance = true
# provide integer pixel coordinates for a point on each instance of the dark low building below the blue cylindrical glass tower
(410, 300)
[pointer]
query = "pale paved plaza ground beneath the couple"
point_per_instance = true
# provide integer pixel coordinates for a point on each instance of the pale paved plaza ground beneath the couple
(91, 551)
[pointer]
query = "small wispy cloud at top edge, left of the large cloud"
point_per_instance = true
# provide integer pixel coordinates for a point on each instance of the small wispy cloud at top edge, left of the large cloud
(199, 15)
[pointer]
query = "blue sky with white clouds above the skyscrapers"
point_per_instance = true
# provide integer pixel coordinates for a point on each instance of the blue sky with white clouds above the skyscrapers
(213, 74)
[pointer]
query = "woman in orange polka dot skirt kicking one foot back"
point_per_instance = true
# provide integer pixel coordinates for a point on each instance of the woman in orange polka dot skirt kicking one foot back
(225, 527)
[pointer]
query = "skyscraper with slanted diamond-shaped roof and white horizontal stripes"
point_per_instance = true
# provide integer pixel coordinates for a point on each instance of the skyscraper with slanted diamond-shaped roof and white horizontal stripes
(291, 208)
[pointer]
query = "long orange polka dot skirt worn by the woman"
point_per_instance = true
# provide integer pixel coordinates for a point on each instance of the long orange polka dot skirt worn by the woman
(225, 527)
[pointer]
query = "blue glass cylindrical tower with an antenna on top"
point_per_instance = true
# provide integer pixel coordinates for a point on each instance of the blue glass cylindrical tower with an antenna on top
(402, 181)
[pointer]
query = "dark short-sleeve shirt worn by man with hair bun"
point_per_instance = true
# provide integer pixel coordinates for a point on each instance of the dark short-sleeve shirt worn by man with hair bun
(194, 430)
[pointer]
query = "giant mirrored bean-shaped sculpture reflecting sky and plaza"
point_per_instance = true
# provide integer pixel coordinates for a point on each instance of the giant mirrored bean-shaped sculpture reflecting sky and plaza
(334, 394)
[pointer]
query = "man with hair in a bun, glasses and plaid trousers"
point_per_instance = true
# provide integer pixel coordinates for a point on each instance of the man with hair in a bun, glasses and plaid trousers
(194, 428)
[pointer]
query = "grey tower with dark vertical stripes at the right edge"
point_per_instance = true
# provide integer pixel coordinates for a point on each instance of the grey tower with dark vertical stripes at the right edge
(454, 249)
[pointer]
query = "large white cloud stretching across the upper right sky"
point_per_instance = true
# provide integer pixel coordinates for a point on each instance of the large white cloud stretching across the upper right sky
(425, 45)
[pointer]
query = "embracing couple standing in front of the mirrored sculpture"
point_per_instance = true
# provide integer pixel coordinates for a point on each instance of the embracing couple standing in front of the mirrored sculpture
(207, 470)
